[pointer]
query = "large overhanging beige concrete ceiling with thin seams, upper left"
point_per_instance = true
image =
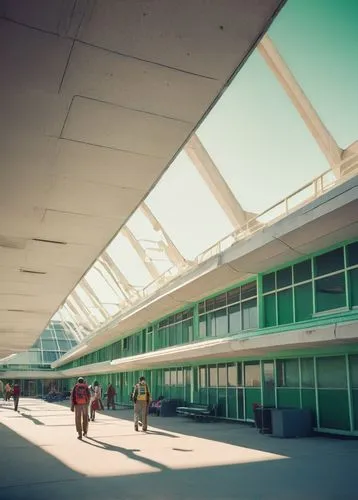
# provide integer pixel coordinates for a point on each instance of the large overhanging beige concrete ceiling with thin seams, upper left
(97, 97)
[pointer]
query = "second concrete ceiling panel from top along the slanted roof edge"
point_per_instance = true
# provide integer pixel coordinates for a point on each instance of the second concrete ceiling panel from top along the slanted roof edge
(99, 74)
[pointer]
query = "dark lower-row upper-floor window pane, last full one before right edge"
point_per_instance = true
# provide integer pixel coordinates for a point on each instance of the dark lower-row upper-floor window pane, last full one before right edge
(330, 292)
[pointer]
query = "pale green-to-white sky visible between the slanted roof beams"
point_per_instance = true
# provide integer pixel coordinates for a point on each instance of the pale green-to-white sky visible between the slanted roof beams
(256, 137)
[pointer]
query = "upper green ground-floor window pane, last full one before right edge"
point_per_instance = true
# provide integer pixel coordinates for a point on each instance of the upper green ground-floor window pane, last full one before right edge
(331, 372)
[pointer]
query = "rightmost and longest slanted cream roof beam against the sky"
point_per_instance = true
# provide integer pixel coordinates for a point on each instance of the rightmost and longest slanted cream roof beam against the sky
(324, 139)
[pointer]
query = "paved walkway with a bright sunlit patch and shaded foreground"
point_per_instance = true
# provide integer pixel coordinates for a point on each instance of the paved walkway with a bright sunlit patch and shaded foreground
(177, 459)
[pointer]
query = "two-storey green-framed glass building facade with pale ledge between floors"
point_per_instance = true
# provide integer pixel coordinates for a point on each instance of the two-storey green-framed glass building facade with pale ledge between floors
(315, 296)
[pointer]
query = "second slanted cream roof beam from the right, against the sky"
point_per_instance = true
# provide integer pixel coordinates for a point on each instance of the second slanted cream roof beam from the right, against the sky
(215, 182)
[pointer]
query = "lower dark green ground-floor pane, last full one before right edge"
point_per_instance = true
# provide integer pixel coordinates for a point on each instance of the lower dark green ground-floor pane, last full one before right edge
(333, 409)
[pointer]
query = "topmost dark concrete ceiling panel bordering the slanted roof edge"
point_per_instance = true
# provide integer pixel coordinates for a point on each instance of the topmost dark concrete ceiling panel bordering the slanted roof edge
(204, 37)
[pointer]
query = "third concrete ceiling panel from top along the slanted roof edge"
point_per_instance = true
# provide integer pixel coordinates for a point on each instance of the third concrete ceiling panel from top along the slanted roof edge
(112, 126)
